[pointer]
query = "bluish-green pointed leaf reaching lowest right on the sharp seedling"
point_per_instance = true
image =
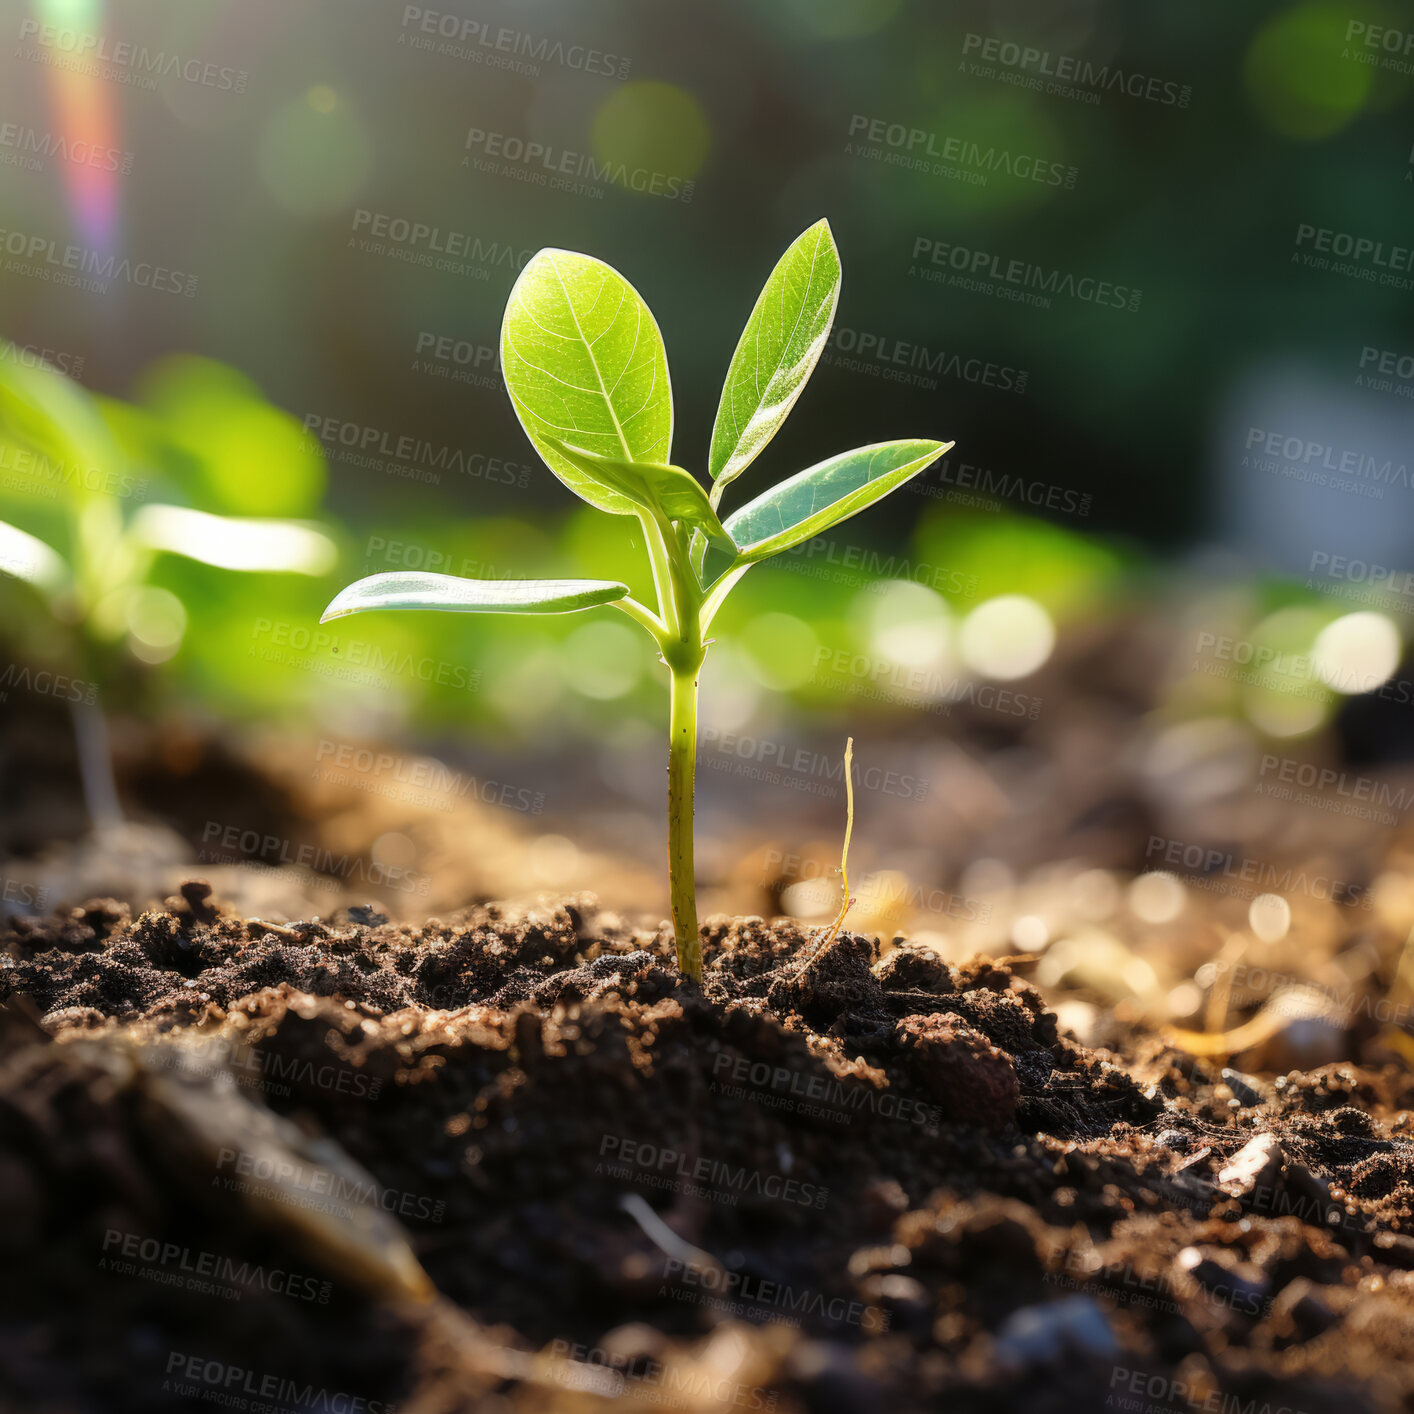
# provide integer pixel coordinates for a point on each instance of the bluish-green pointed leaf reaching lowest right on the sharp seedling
(826, 494)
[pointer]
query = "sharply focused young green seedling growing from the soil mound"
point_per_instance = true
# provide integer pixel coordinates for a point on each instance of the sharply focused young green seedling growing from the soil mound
(588, 374)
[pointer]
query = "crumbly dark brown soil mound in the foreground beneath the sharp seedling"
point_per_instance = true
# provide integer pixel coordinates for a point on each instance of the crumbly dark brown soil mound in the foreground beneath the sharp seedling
(829, 1180)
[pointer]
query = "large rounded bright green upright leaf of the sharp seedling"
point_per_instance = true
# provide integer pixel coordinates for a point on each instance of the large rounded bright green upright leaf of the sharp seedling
(583, 360)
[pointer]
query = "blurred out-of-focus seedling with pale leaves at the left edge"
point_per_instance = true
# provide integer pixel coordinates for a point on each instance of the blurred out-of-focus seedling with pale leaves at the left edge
(62, 436)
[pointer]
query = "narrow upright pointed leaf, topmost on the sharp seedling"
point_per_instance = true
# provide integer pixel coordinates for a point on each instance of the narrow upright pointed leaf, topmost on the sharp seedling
(778, 351)
